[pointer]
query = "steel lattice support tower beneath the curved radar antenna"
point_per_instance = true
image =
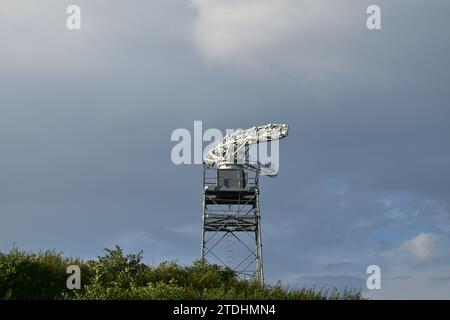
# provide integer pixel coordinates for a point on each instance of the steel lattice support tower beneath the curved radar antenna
(231, 210)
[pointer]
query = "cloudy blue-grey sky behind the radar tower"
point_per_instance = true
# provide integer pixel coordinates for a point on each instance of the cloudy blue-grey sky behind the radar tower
(86, 118)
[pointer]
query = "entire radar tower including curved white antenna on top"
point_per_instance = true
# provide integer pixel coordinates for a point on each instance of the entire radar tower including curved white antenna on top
(231, 200)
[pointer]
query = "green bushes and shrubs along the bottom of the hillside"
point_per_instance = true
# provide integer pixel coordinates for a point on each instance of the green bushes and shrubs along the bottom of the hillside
(118, 276)
